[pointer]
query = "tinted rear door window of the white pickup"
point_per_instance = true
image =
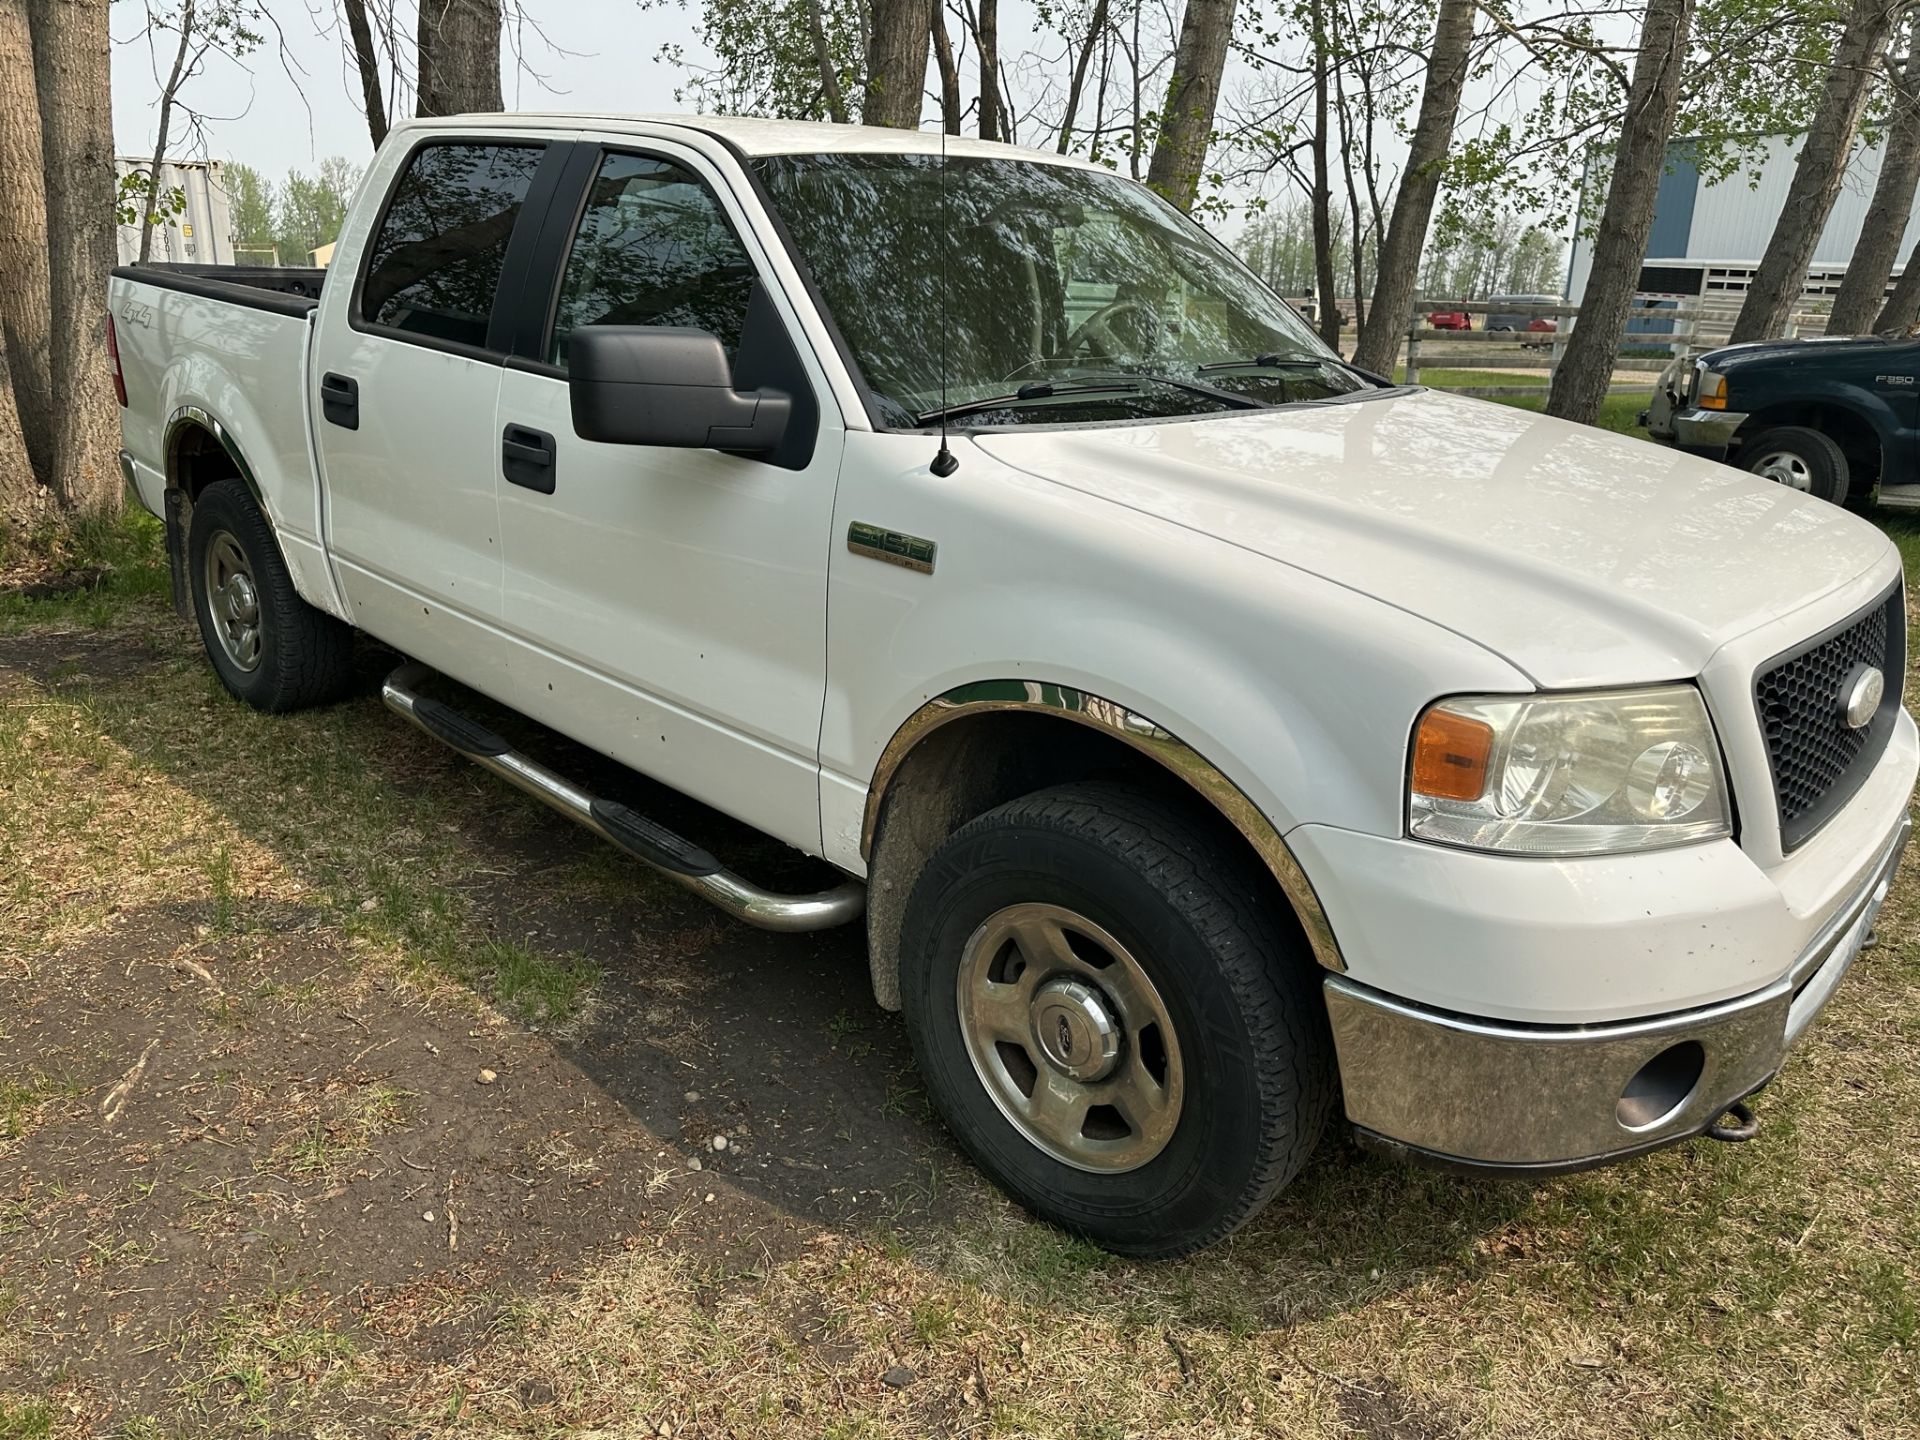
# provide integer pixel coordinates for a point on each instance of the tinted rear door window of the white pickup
(437, 260)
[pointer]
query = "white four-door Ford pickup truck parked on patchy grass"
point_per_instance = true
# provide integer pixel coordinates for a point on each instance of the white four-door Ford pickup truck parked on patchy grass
(1211, 736)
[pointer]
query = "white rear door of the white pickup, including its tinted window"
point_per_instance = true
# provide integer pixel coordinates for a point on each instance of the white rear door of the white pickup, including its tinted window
(404, 385)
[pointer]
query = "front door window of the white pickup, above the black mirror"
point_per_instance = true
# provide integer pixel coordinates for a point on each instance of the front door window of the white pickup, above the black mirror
(654, 249)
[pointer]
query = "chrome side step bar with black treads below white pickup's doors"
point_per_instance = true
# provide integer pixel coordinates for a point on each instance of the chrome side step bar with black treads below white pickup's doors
(677, 859)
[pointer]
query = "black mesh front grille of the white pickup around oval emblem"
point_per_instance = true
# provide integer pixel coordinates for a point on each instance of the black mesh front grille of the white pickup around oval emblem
(1815, 757)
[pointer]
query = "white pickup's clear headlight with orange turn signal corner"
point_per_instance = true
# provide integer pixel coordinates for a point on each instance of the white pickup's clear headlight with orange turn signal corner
(1570, 775)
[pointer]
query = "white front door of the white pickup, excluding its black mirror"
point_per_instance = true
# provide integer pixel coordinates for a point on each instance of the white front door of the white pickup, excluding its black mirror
(671, 602)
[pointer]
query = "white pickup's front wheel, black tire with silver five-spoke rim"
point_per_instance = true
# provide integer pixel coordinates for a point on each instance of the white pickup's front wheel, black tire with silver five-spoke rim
(1222, 1074)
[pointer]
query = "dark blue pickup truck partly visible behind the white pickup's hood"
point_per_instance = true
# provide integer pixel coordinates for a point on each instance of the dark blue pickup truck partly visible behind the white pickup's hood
(1833, 418)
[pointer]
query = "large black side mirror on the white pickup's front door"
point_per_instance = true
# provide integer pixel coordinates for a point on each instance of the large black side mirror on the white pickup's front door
(663, 385)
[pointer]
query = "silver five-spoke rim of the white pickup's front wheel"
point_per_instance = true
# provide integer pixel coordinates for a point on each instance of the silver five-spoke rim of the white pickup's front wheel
(1070, 1038)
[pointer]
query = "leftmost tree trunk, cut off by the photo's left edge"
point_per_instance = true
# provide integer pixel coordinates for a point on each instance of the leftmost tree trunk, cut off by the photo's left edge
(26, 299)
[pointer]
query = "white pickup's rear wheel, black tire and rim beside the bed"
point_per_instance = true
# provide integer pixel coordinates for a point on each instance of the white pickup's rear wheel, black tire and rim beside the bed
(268, 646)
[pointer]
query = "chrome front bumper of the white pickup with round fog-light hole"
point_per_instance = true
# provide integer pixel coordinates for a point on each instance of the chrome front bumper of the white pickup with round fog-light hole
(1539, 1099)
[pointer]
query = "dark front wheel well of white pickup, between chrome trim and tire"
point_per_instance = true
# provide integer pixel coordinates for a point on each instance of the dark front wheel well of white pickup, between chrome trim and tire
(976, 763)
